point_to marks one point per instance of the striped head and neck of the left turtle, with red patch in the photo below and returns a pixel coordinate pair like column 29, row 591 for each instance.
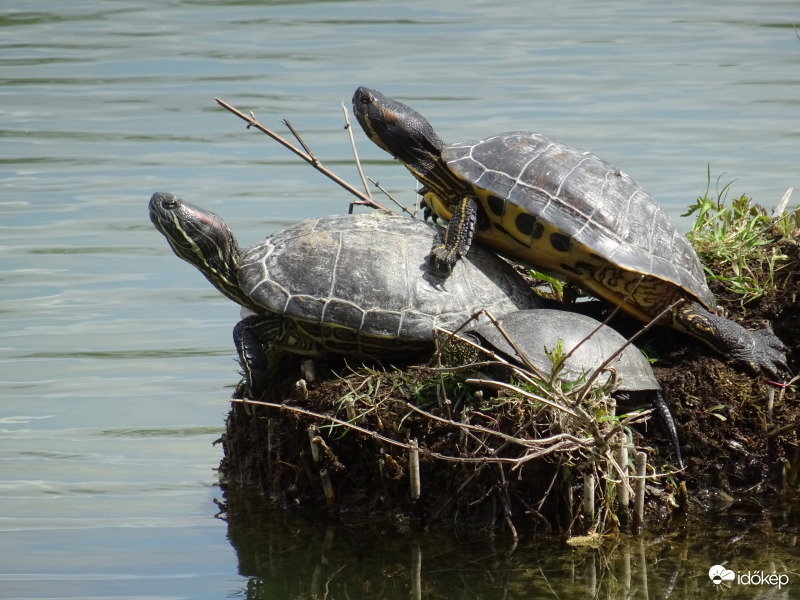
column 202, row 239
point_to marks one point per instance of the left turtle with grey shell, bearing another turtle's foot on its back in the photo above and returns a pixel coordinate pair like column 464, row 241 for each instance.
column 344, row 285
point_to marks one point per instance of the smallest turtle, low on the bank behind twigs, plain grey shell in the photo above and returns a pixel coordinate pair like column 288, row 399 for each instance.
column 588, row 344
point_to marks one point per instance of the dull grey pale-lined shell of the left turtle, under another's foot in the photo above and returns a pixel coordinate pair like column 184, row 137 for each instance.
column 362, row 284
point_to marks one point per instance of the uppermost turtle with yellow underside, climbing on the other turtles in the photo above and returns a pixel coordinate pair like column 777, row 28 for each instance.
column 568, row 212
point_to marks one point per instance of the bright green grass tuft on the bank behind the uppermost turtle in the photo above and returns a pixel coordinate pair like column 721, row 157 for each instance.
column 734, row 240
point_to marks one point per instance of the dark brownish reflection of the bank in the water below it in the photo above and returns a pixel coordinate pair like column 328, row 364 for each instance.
column 314, row 555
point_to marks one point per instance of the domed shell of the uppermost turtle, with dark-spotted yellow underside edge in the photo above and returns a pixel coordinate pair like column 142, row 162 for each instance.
column 526, row 180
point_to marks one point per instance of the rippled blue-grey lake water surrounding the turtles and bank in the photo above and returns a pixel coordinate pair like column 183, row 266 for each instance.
column 116, row 361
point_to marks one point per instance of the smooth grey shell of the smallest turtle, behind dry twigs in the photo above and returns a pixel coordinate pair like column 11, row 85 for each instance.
column 534, row 331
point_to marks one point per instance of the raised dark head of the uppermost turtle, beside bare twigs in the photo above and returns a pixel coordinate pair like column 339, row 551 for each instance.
column 402, row 132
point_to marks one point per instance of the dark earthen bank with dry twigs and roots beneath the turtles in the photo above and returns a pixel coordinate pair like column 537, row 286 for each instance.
column 738, row 435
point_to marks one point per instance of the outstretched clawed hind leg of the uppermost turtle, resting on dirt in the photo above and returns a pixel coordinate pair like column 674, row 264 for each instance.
column 758, row 351
